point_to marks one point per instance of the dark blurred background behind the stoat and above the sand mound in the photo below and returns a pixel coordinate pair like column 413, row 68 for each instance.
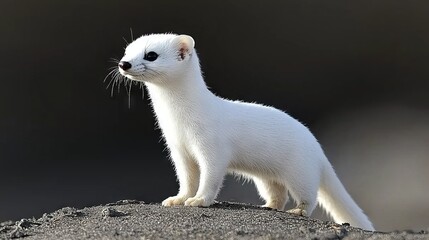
column 355, row 72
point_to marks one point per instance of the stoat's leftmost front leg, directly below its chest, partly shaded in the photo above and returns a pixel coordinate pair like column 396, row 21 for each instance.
column 188, row 174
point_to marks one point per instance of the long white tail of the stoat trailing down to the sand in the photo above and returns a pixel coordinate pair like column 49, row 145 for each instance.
column 337, row 202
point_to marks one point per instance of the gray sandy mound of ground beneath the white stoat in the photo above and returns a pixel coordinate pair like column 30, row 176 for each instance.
column 130, row 219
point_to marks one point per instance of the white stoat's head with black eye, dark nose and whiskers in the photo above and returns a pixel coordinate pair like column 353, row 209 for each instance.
column 156, row 57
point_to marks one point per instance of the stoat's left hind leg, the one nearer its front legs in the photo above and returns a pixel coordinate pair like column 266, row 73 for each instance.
column 274, row 193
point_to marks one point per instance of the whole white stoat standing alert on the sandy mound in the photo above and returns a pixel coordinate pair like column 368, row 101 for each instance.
column 209, row 136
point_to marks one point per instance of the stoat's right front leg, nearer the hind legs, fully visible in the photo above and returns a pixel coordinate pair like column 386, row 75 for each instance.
column 212, row 174
